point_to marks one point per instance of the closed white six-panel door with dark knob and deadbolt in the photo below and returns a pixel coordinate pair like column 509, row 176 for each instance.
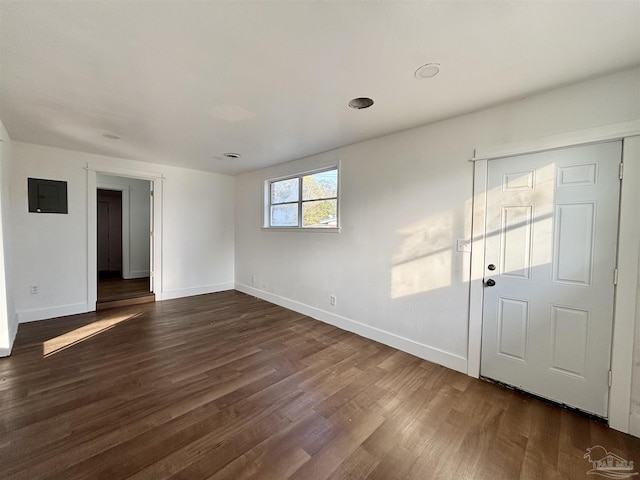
column 550, row 258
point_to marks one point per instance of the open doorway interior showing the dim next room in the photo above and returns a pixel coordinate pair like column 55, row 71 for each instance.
column 123, row 211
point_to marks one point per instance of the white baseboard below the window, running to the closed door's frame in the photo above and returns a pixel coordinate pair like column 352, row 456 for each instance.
column 435, row 355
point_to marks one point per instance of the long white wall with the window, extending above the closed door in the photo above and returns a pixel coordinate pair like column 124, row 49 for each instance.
column 405, row 199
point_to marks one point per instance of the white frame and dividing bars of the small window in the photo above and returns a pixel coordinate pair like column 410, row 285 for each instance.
column 266, row 224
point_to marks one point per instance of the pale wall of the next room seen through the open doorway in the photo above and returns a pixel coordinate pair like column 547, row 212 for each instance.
column 136, row 222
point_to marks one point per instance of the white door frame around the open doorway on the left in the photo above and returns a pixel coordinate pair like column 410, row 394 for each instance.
column 155, row 265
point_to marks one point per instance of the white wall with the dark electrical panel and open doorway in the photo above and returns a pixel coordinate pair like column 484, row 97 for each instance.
column 50, row 250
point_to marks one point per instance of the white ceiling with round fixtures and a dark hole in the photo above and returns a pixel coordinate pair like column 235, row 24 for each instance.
column 181, row 82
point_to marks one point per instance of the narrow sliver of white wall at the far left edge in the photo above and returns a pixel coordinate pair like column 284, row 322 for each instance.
column 8, row 321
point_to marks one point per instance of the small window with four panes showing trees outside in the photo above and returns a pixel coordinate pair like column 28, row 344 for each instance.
column 308, row 200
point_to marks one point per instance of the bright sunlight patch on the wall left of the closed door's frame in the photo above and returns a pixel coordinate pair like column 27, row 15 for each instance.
column 423, row 261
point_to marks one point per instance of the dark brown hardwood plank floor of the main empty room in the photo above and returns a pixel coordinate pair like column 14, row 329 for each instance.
column 226, row 386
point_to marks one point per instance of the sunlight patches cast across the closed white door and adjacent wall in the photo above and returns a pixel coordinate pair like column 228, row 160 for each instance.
column 424, row 260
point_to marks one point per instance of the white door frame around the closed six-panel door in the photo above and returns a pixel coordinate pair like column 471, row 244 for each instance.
column 626, row 294
